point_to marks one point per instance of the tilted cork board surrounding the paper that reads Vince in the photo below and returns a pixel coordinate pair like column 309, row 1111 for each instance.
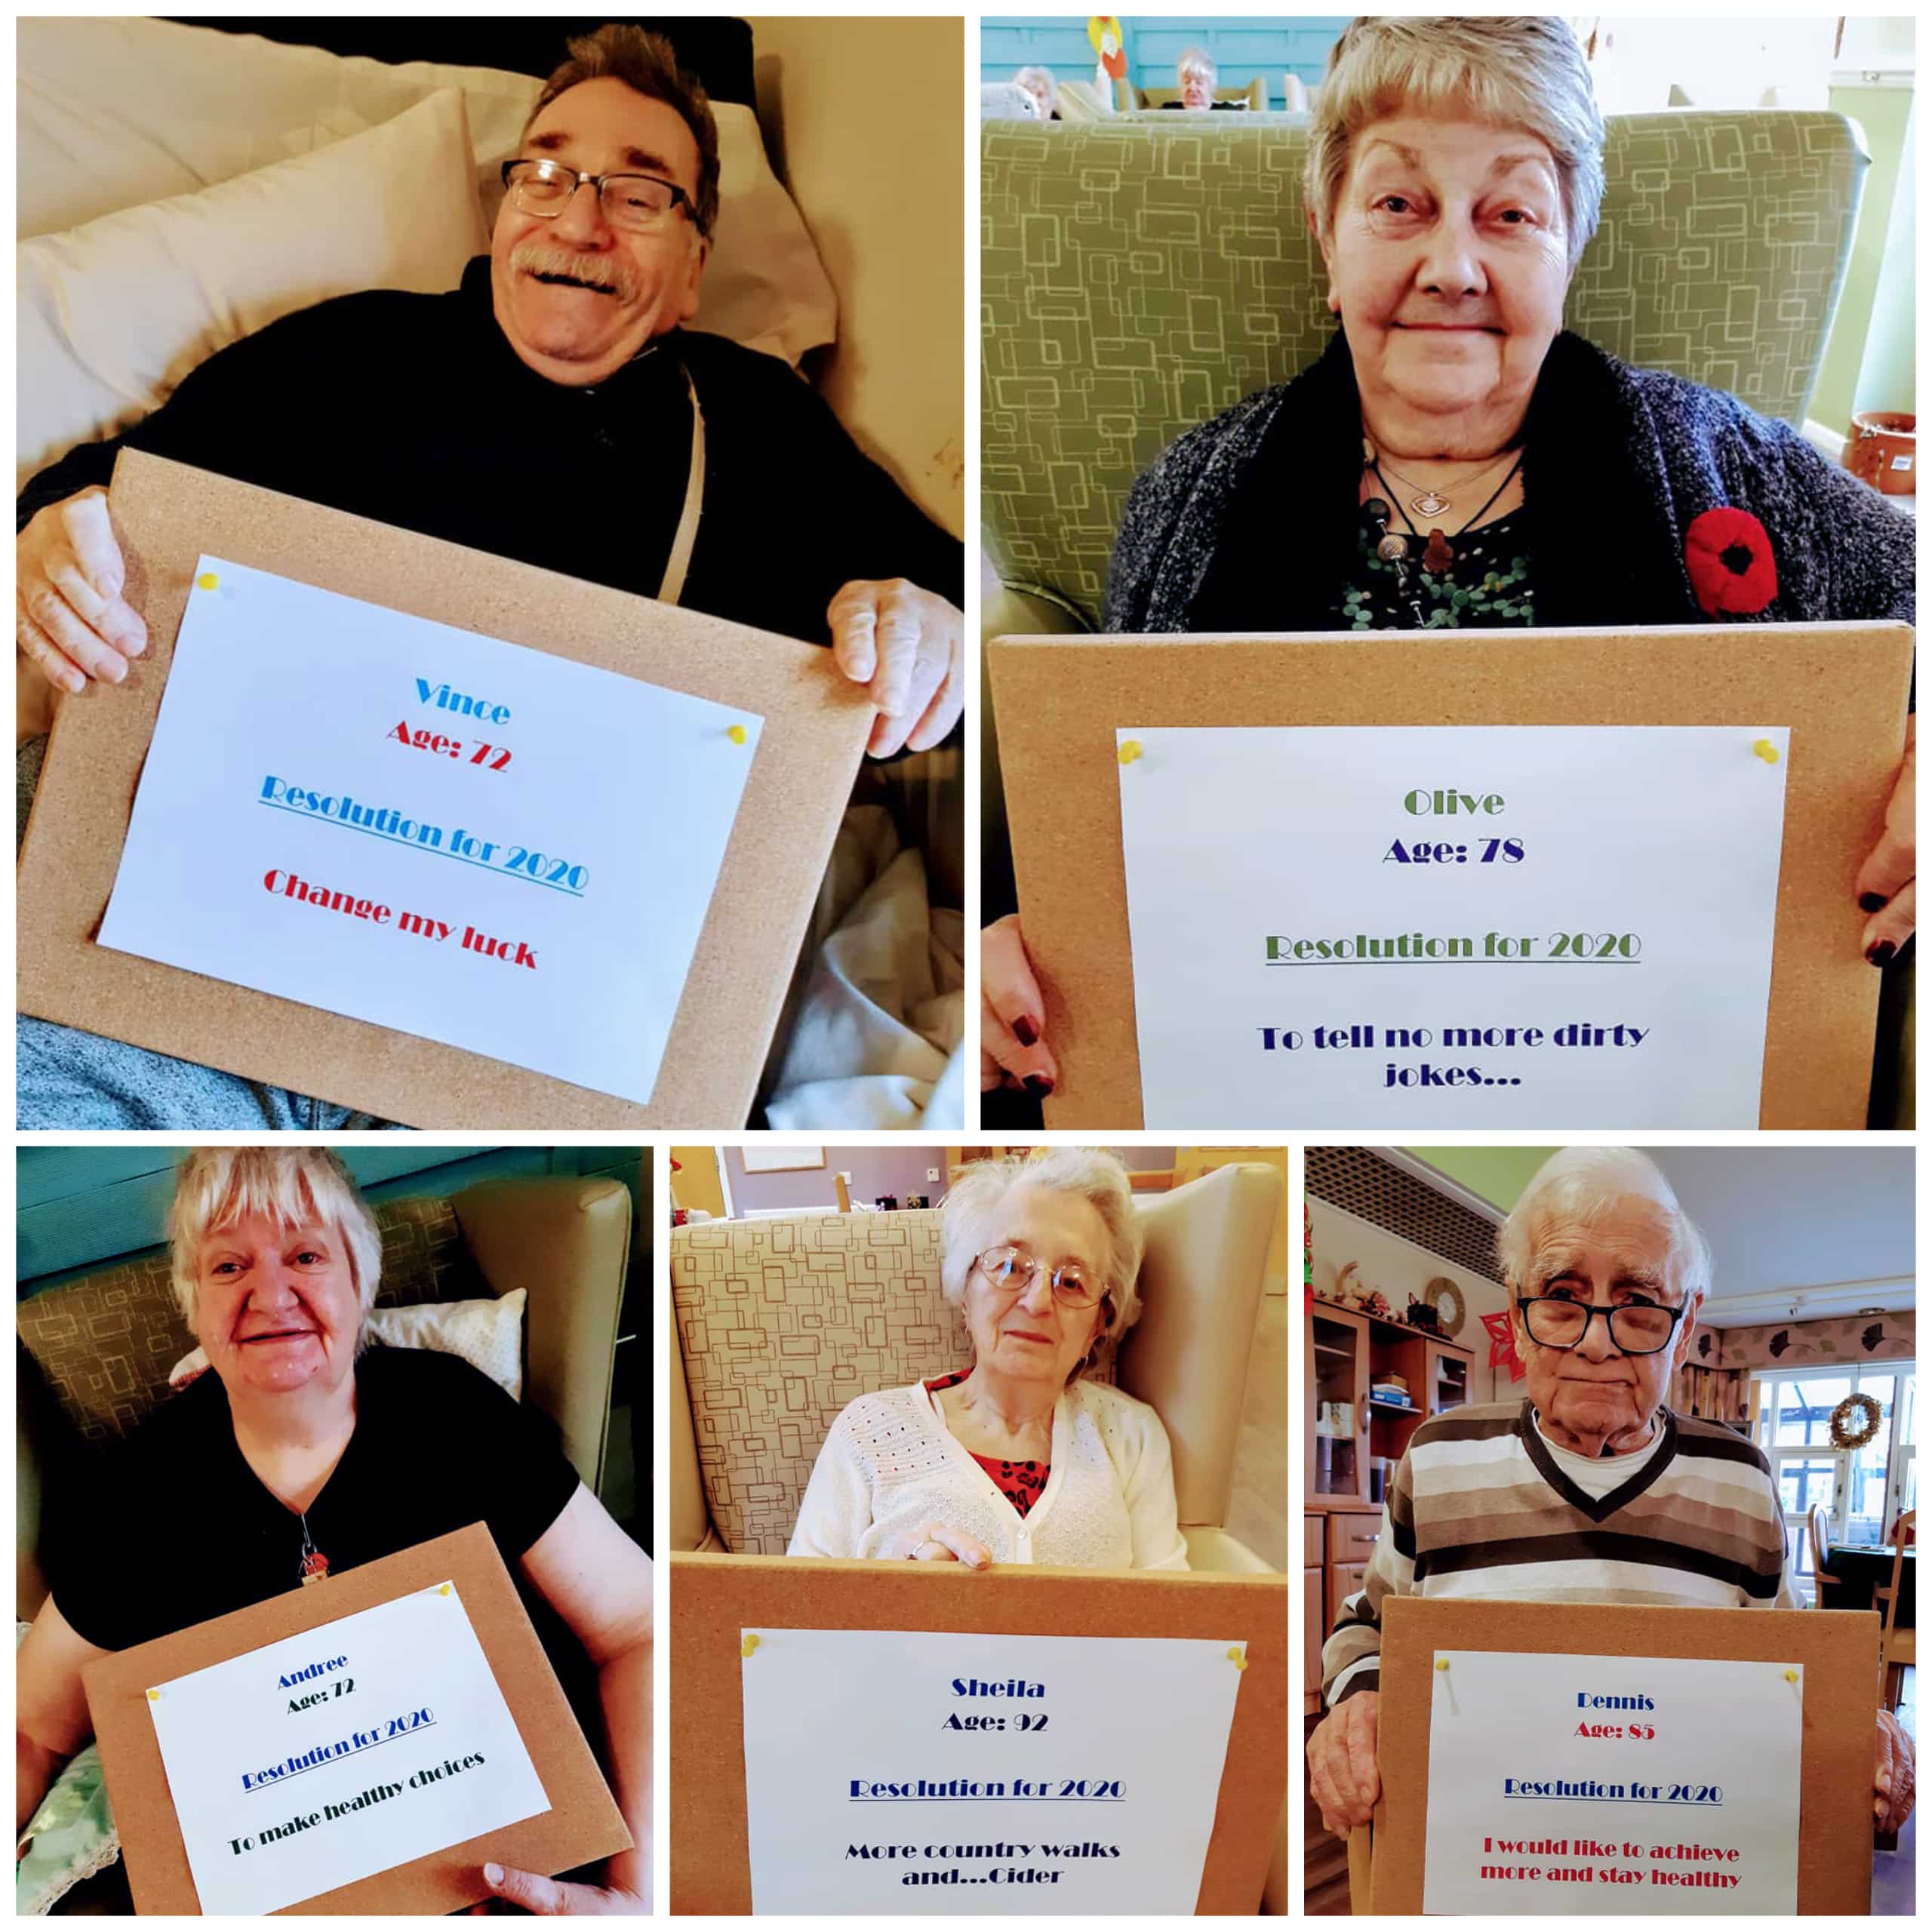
column 810, row 747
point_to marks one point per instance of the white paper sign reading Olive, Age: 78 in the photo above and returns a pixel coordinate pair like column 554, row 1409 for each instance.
column 1500, row 926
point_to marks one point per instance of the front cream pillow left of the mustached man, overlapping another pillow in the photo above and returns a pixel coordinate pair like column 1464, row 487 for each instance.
column 115, row 314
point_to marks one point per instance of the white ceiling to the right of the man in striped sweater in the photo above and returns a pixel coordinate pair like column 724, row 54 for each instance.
column 1827, row 1226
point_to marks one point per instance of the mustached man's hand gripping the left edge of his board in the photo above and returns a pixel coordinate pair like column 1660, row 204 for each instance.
column 71, row 621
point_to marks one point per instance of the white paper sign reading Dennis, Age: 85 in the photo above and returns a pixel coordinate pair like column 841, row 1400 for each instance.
column 1612, row 1786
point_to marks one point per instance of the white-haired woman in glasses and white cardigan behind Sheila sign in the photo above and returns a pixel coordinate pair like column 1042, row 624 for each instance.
column 1025, row 1458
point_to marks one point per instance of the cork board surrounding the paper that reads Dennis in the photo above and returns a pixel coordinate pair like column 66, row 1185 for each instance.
column 1838, row 1651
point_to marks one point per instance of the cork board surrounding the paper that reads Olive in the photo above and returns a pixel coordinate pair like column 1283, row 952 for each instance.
column 1842, row 689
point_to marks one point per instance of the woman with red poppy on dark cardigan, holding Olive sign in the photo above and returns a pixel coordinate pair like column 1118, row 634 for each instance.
column 1456, row 459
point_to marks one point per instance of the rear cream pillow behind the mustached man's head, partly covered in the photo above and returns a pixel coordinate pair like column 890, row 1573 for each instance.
column 123, row 111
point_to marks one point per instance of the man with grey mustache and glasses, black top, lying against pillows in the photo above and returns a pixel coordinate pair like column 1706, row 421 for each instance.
column 554, row 411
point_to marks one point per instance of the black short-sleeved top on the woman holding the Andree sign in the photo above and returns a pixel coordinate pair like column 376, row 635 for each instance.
column 173, row 1527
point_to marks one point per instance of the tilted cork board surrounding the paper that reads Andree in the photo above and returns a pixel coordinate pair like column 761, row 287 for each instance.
column 582, row 1823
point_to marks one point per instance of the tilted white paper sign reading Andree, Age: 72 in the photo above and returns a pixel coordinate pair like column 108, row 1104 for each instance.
column 347, row 1751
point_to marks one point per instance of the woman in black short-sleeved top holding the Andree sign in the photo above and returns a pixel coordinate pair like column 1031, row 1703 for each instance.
column 302, row 1456
